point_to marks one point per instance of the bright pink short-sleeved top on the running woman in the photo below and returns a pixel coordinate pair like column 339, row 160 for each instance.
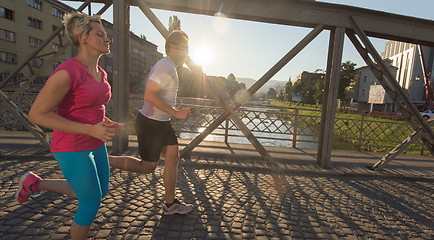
column 83, row 103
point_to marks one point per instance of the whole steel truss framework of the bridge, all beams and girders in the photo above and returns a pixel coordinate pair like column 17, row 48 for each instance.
column 356, row 23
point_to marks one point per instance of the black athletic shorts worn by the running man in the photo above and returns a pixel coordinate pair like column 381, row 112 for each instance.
column 152, row 136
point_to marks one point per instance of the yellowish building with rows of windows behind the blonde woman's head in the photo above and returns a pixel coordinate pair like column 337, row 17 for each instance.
column 24, row 25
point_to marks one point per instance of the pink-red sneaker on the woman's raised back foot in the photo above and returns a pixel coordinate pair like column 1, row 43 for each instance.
column 27, row 186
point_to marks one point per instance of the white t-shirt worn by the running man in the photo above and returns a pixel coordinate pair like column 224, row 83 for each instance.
column 163, row 73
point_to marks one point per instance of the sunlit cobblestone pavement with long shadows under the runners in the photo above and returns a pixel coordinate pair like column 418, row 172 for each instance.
column 230, row 203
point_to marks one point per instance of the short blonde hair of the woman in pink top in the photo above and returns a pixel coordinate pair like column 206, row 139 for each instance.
column 78, row 23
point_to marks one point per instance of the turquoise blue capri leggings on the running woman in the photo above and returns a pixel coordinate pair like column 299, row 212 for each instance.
column 88, row 173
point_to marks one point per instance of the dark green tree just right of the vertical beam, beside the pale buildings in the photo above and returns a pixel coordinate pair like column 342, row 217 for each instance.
column 347, row 77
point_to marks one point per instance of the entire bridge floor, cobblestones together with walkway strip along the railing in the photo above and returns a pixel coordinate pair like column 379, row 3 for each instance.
column 236, row 195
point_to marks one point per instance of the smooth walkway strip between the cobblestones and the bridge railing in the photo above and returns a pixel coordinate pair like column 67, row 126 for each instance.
column 344, row 162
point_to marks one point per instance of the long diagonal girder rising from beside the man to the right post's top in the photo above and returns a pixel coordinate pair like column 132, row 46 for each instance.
column 255, row 87
